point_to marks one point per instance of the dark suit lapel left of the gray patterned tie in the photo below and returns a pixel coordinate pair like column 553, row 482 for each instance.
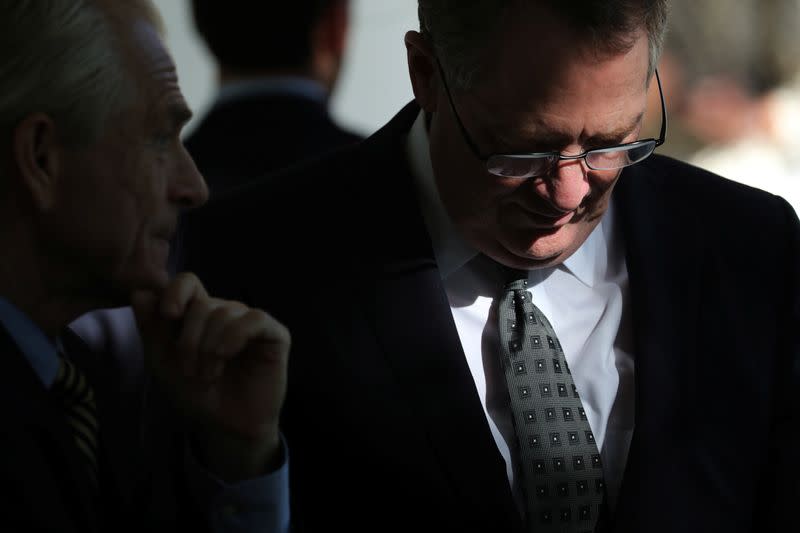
column 424, row 350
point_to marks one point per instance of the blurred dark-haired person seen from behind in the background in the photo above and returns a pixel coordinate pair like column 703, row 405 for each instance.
column 278, row 63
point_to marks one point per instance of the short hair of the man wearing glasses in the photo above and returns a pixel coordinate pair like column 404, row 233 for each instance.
column 461, row 31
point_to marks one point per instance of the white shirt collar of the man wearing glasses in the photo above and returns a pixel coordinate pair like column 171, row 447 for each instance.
column 587, row 263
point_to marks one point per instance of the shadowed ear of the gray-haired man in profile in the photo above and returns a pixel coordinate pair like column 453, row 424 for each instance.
column 37, row 158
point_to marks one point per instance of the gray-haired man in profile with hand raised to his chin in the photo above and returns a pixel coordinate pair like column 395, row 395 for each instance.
column 92, row 179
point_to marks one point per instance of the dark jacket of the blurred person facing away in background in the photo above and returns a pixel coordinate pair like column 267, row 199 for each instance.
column 251, row 136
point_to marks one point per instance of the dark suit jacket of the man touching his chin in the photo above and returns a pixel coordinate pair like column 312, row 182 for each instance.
column 45, row 486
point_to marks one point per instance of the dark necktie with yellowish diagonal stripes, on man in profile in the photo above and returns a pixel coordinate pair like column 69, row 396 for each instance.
column 76, row 396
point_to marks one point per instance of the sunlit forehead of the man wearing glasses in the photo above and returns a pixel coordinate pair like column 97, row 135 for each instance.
column 561, row 93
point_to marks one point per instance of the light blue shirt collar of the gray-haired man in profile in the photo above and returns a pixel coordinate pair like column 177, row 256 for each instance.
column 40, row 352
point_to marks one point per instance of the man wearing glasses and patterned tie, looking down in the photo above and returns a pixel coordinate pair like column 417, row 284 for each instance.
column 508, row 314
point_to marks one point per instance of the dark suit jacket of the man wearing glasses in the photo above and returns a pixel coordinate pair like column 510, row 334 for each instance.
column 383, row 421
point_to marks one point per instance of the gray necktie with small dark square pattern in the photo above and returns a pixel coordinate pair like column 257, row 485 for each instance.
column 562, row 471
